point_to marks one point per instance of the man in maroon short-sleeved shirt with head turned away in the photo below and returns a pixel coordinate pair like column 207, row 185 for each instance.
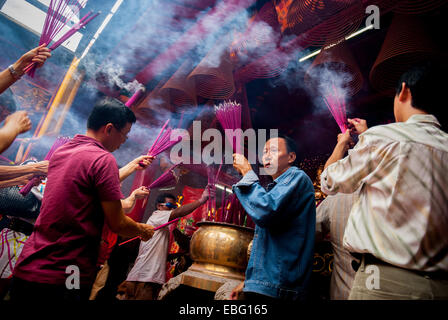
column 83, row 190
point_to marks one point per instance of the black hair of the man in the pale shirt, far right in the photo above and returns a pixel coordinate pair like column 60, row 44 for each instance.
column 426, row 83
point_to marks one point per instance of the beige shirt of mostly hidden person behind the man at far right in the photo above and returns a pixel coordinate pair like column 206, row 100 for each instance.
column 331, row 218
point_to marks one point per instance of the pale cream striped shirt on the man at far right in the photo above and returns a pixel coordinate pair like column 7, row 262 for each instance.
column 402, row 215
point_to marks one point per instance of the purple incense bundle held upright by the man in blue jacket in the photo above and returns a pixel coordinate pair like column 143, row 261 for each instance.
column 229, row 116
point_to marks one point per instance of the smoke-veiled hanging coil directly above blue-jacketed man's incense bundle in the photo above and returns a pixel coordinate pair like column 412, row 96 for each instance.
column 213, row 76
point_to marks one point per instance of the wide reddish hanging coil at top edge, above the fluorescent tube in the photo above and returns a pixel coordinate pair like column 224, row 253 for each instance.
column 323, row 21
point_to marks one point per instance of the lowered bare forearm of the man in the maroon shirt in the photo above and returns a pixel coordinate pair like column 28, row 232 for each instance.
column 119, row 223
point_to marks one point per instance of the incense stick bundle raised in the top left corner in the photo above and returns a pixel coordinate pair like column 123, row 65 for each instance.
column 59, row 13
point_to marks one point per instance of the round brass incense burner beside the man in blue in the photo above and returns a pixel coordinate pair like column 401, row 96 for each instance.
column 219, row 251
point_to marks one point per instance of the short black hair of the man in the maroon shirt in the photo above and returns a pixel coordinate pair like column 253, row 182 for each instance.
column 110, row 110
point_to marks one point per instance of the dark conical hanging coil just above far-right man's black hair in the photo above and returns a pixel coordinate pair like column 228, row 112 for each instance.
column 407, row 43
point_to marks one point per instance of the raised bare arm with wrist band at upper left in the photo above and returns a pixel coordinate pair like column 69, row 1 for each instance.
column 38, row 55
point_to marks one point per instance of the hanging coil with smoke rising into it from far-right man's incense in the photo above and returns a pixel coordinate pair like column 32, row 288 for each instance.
column 340, row 60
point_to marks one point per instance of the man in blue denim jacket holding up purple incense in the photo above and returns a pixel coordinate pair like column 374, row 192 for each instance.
column 280, row 264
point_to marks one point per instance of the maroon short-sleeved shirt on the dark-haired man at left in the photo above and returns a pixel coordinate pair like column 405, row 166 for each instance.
column 81, row 174
